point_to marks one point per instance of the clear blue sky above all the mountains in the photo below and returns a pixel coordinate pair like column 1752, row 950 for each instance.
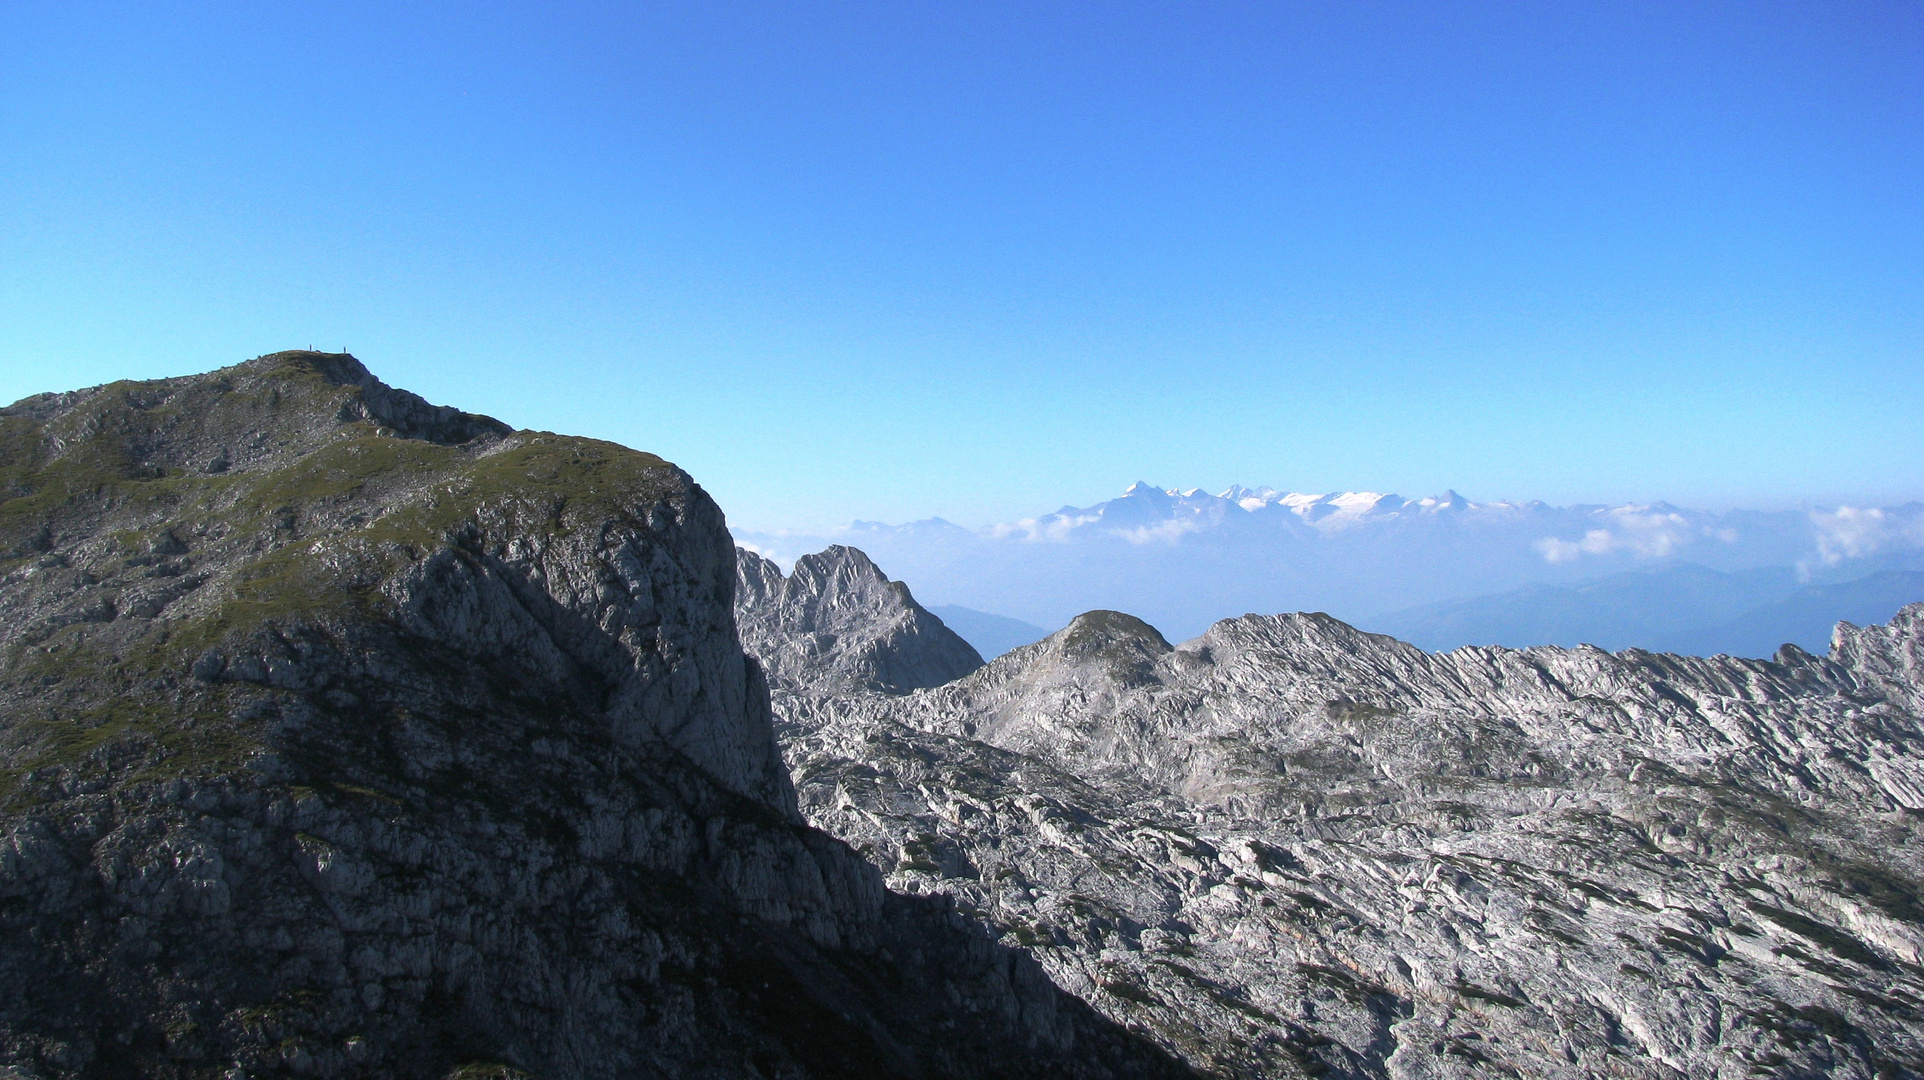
column 892, row 261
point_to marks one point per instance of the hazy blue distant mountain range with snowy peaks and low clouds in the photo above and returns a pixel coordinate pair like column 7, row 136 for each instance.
column 1440, row 571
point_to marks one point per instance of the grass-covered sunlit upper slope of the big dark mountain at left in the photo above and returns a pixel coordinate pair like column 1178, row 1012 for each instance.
column 301, row 546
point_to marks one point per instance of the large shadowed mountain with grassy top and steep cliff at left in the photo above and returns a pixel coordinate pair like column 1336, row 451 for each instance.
column 351, row 736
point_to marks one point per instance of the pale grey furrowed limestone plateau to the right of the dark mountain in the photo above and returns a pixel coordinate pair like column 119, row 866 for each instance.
column 1290, row 848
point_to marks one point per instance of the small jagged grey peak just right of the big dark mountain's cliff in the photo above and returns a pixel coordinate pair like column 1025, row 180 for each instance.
column 840, row 625
